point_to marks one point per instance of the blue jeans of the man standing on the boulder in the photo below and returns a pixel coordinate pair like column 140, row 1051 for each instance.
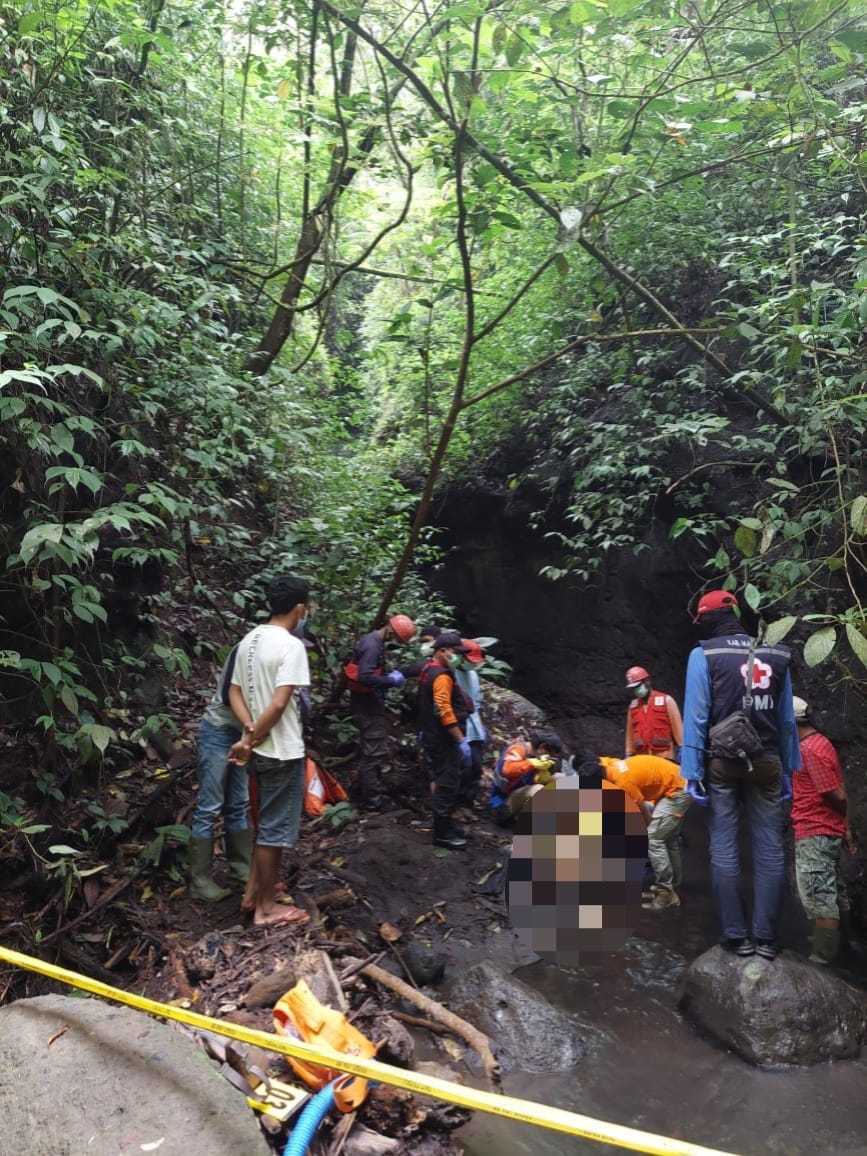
column 732, row 786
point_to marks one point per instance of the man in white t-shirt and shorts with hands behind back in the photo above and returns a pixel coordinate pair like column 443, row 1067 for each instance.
column 270, row 668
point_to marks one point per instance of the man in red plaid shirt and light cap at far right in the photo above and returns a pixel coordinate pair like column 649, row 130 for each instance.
column 819, row 819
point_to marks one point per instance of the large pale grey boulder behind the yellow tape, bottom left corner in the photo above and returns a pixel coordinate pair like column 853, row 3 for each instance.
column 85, row 1077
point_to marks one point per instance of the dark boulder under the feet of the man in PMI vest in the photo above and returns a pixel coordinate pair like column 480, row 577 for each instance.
column 774, row 1014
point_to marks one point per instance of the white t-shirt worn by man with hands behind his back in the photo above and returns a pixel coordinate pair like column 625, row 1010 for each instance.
column 269, row 657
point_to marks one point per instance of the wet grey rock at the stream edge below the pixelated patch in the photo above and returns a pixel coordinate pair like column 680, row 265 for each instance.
column 525, row 1031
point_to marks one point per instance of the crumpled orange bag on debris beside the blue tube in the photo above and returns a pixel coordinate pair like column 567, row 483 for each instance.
column 300, row 1013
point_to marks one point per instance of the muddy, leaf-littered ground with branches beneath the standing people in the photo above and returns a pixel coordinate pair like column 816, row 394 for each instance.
column 135, row 925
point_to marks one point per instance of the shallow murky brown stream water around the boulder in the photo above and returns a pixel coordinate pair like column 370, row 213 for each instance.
column 651, row 1070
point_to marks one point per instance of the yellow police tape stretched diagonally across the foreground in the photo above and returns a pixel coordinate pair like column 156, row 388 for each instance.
column 522, row 1110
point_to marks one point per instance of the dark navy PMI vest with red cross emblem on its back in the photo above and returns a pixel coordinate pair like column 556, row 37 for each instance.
column 728, row 659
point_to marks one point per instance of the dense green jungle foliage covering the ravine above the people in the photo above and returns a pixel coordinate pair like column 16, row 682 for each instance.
column 439, row 202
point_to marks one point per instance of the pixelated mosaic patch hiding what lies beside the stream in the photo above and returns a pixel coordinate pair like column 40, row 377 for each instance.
column 576, row 869
